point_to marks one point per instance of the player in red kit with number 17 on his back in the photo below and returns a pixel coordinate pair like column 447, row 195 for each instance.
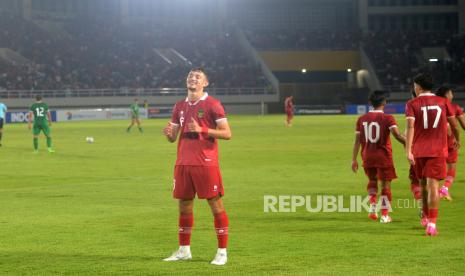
column 426, row 146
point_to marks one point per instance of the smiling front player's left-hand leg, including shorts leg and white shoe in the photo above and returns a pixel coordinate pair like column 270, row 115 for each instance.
column 184, row 191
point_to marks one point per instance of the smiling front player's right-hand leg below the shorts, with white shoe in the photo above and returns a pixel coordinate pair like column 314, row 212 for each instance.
column 221, row 228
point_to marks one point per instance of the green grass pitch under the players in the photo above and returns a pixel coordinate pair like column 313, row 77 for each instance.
column 106, row 207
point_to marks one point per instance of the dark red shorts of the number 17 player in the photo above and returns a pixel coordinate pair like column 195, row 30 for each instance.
column 430, row 167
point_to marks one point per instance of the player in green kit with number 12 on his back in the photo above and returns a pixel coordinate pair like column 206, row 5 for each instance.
column 40, row 115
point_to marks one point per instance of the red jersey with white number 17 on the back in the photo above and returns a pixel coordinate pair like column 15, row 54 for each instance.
column 430, row 113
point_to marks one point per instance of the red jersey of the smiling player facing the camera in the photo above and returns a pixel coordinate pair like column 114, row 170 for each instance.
column 197, row 149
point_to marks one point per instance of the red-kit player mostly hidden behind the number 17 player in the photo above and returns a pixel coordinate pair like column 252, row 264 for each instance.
column 446, row 92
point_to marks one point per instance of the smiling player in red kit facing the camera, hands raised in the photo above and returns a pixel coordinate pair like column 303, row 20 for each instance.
column 199, row 120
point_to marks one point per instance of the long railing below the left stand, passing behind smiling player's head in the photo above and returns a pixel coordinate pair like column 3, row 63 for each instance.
column 128, row 92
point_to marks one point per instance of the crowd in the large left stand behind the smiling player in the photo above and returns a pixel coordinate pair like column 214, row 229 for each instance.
column 95, row 55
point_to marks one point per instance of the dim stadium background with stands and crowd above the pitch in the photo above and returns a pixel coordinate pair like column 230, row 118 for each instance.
column 328, row 54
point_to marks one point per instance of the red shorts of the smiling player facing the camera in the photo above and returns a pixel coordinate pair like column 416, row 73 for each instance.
column 201, row 180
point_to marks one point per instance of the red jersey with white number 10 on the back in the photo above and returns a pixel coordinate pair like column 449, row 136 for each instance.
column 375, row 128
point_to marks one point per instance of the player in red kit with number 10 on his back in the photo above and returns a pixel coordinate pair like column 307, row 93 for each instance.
column 373, row 135
